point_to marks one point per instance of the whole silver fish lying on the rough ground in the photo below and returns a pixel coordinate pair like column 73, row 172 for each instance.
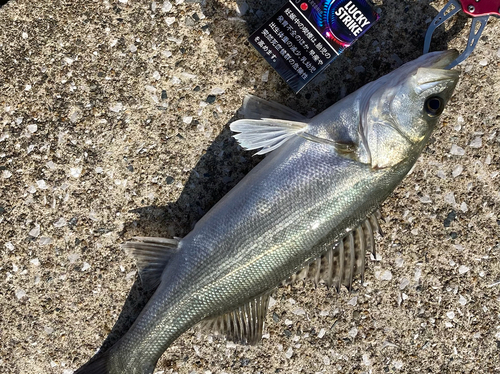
column 310, row 204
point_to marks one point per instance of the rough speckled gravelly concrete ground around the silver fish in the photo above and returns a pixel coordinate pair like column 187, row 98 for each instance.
column 114, row 122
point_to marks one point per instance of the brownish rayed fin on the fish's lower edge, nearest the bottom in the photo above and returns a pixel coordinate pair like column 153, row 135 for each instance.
column 244, row 325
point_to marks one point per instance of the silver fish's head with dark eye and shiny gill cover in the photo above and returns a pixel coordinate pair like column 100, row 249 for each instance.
column 400, row 110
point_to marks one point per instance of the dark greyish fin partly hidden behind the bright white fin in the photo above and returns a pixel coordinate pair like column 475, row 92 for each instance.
column 257, row 108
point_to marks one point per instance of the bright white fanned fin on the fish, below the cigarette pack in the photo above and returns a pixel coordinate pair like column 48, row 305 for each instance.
column 266, row 134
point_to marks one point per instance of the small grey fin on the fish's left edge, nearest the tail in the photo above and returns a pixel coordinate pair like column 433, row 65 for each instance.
column 151, row 255
